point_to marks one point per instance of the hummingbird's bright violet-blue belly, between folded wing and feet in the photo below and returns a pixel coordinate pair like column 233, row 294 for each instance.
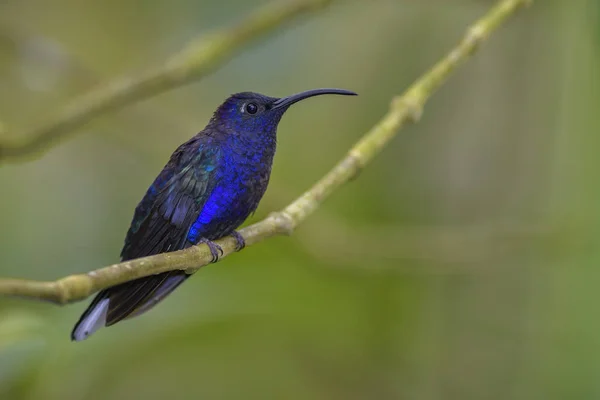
column 227, row 208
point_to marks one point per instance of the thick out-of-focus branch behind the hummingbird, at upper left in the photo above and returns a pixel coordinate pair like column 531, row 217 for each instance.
column 195, row 61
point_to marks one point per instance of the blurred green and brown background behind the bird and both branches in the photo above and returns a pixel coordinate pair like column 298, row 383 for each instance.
column 462, row 264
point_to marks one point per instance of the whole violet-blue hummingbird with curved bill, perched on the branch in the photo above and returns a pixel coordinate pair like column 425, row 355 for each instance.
column 207, row 189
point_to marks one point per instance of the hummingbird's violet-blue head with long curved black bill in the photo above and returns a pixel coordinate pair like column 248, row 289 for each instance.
column 249, row 114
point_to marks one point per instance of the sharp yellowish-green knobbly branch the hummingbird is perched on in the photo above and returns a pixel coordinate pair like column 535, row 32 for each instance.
column 404, row 109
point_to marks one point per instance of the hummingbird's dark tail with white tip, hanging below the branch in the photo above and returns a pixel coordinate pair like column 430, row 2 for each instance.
column 126, row 300
